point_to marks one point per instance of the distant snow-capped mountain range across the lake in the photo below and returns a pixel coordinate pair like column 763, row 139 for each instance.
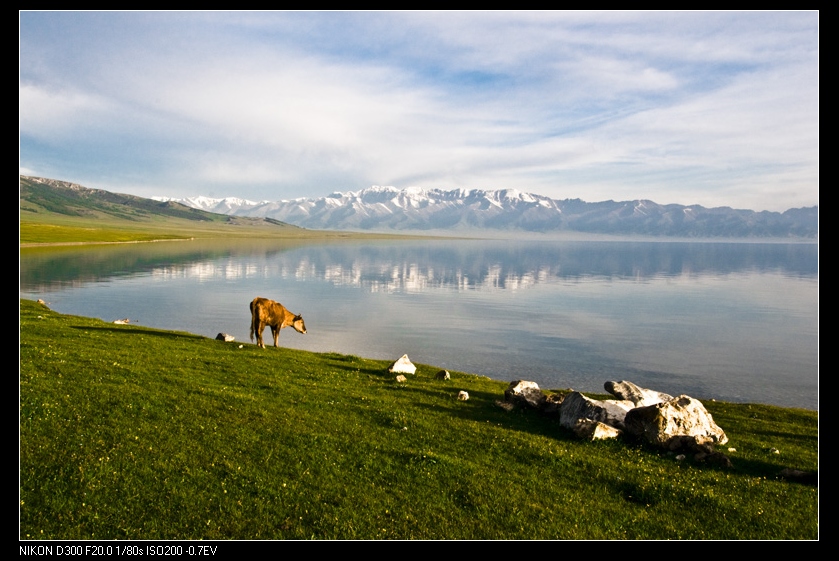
column 389, row 208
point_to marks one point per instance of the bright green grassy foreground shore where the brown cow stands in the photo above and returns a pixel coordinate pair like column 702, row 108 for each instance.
column 129, row 432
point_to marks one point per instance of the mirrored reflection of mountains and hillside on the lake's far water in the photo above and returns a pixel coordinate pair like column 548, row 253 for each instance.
column 462, row 265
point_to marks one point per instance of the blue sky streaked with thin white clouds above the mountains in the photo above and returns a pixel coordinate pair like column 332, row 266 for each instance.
column 709, row 108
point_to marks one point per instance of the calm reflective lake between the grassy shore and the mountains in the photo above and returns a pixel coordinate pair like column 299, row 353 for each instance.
column 730, row 321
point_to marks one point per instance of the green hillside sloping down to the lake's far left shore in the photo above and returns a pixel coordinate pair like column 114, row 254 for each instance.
column 53, row 211
